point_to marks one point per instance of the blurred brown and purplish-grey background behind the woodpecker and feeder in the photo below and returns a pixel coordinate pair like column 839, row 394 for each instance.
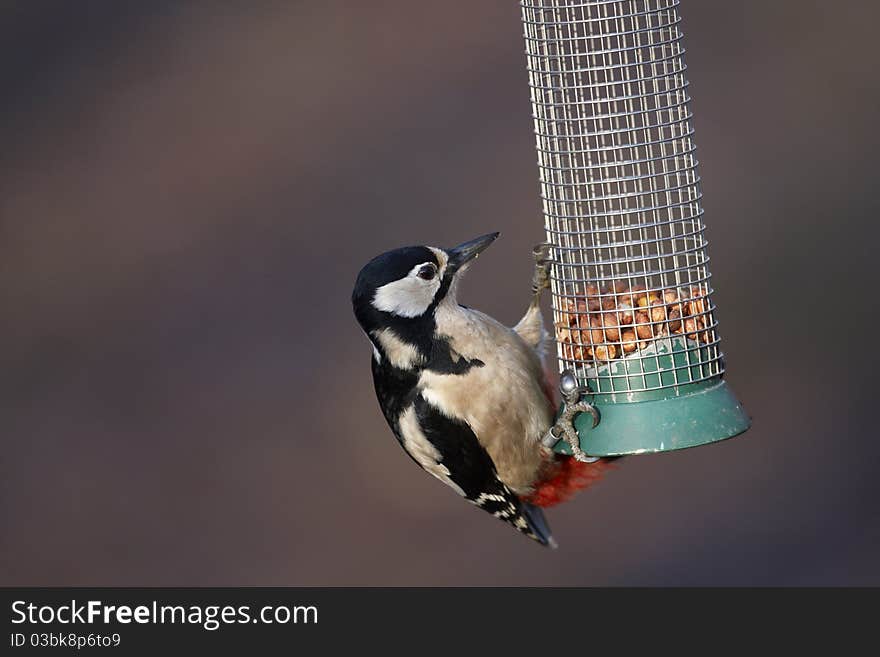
column 187, row 191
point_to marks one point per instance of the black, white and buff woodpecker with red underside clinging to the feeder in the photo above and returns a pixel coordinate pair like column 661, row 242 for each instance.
column 467, row 397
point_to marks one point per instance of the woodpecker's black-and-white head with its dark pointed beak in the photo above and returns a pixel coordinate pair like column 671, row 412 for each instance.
column 402, row 288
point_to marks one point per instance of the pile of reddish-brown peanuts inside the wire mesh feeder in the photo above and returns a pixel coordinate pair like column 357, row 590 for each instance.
column 624, row 319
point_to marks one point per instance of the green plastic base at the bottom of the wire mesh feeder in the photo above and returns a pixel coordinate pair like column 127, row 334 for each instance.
column 660, row 420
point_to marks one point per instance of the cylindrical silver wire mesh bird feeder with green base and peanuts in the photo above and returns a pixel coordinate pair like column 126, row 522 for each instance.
column 631, row 289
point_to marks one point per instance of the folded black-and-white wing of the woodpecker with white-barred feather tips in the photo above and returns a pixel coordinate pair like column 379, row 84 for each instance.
column 448, row 449
